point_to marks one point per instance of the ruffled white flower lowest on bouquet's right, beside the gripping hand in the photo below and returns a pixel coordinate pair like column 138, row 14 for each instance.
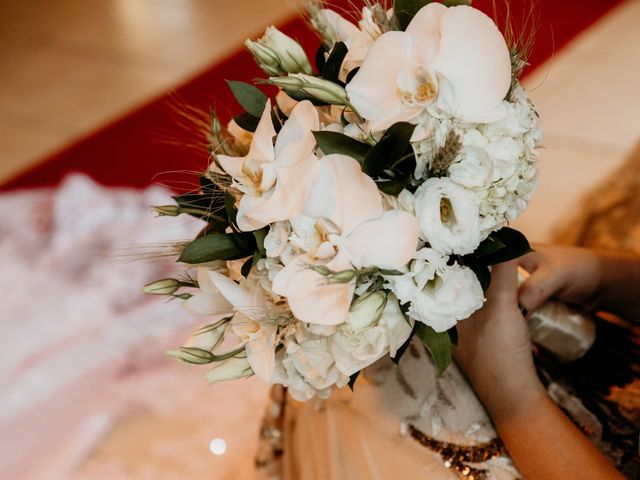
column 439, row 294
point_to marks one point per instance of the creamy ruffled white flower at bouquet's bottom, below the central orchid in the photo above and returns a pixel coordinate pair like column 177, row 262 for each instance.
column 359, row 342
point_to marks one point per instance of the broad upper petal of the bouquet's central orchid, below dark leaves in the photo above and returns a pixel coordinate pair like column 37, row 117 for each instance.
column 343, row 194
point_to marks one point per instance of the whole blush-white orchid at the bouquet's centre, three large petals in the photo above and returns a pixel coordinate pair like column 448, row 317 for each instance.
column 344, row 226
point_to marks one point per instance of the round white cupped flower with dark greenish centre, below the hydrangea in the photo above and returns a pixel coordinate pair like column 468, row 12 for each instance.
column 448, row 215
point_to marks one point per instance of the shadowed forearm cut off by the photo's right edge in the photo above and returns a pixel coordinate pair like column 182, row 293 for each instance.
column 619, row 290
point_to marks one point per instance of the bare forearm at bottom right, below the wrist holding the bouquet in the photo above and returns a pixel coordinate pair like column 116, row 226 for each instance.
column 544, row 443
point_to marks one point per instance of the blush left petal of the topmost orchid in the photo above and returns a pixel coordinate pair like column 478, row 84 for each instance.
column 373, row 90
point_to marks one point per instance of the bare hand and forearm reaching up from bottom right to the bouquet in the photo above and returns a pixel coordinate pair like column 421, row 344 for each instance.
column 494, row 352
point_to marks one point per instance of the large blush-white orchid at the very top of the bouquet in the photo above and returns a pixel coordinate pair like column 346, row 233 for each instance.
column 454, row 58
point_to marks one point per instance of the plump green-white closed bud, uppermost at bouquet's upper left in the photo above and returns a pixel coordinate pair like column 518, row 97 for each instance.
column 277, row 54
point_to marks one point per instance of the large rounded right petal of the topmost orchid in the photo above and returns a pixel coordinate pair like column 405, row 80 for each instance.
column 474, row 58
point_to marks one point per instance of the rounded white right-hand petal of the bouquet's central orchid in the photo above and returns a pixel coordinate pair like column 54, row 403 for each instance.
column 388, row 242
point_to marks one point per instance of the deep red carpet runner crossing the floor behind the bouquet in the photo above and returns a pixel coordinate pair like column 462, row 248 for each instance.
column 152, row 139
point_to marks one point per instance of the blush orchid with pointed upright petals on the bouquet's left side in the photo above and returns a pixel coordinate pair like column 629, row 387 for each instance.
column 275, row 178
